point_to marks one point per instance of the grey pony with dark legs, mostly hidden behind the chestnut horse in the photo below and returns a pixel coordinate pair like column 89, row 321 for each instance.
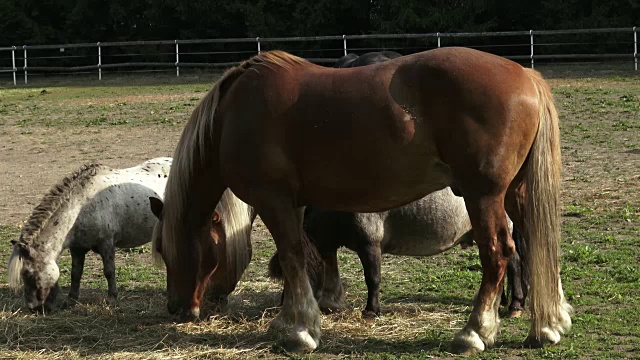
column 426, row 227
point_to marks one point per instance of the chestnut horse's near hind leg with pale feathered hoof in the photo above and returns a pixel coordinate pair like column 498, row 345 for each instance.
column 495, row 245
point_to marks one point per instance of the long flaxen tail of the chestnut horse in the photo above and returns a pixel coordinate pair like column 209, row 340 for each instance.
column 541, row 213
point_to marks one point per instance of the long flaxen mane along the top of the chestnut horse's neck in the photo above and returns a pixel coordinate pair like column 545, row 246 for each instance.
column 195, row 144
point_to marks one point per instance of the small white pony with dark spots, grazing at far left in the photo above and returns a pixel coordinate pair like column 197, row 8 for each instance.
column 95, row 208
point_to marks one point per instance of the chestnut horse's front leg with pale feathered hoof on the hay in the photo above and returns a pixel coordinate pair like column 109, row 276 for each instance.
column 284, row 221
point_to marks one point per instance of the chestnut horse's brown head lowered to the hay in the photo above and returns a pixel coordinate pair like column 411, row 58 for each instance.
column 185, row 287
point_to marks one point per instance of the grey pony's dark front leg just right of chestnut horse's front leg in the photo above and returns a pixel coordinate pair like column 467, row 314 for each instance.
column 332, row 295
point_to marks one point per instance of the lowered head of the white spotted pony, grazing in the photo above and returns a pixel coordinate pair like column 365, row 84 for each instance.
column 36, row 274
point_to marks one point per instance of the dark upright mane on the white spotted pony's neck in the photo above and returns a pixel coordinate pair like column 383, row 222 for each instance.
column 57, row 196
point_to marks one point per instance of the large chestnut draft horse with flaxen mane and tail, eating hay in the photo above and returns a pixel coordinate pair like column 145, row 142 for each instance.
column 283, row 133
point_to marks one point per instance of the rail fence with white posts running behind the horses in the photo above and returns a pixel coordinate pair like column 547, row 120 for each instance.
column 524, row 46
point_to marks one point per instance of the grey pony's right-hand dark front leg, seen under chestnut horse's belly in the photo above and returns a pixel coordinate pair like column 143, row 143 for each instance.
column 371, row 259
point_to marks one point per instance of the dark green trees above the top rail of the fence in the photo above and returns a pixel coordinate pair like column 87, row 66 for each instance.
column 60, row 21
